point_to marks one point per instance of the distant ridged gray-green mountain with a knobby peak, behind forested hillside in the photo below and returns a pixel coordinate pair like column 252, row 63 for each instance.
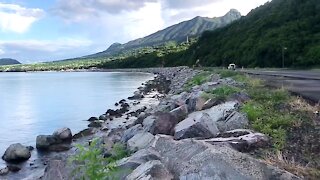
column 178, row 33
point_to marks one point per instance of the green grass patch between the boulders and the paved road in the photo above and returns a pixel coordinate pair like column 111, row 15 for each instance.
column 268, row 112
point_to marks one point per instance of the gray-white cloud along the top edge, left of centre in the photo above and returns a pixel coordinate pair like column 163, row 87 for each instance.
column 78, row 10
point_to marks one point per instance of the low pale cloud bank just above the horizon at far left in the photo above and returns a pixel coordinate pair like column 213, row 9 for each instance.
column 40, row 50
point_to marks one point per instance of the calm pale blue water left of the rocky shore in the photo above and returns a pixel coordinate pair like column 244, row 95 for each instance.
column 38, row 103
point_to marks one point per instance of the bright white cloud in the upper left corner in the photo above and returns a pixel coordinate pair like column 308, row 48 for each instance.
column 15, row 18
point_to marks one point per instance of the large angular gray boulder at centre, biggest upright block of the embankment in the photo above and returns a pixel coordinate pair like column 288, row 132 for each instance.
column 196, row 126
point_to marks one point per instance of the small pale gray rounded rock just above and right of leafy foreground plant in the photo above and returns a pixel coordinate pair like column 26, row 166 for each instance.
column 140, row 141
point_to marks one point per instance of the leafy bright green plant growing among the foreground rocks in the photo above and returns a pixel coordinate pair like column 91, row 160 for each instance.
column 91, row 163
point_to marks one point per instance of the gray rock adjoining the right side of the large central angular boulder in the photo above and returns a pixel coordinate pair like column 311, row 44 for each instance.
column 235, row 120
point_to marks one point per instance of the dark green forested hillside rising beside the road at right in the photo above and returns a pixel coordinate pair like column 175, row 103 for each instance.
column 280, row 31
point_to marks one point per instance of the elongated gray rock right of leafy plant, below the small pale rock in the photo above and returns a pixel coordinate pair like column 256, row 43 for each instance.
column 140, row 157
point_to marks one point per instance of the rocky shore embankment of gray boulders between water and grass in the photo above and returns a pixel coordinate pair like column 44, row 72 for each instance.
column 172, row 132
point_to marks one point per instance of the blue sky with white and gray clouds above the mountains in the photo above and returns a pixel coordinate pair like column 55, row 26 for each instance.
column 46, row 30
